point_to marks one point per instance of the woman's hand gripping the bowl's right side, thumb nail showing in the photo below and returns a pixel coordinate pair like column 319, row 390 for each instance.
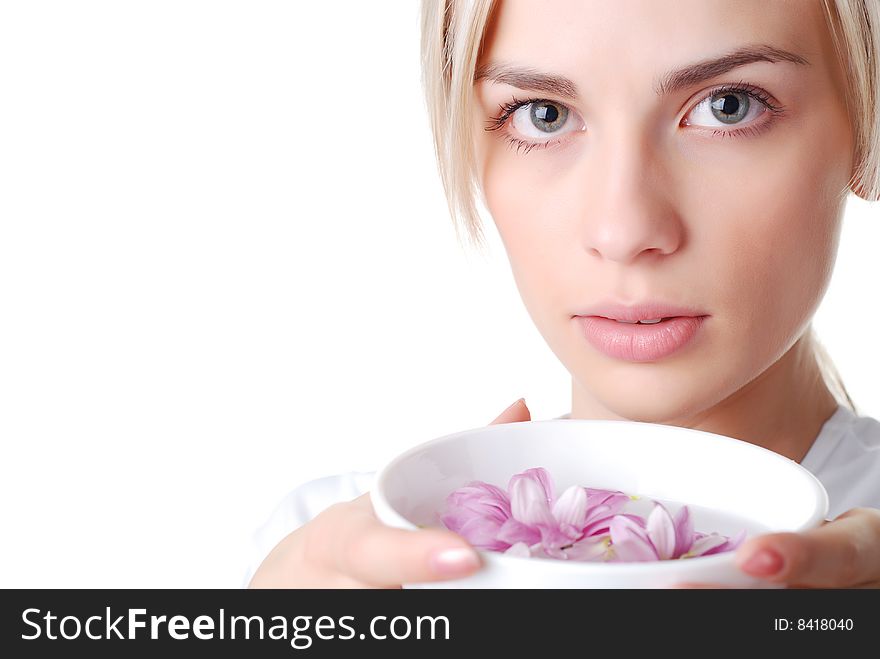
column 843, row 553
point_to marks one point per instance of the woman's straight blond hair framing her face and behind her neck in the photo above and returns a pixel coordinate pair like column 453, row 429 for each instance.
column 451, row 38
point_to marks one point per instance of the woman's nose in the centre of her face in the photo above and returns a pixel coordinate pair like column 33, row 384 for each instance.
column 629, row 213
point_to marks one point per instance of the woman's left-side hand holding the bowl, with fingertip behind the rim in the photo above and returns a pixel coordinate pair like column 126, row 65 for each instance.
column 346, row 546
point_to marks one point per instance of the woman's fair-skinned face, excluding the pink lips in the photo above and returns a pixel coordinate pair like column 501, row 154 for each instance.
column 685, row 195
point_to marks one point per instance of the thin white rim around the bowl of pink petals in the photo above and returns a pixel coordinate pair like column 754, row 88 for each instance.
column 389, row 515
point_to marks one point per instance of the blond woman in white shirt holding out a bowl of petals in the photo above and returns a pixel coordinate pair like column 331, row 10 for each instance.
column 641, row 167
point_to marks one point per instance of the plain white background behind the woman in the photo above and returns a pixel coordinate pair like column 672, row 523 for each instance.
column 226, row 268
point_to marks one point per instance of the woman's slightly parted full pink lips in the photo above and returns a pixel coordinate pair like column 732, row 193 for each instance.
column 638, row 342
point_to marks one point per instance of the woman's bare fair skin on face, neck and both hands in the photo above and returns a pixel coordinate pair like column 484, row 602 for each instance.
column 637, row 206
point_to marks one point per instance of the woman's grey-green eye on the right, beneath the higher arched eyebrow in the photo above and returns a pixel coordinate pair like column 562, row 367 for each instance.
column 735, row 106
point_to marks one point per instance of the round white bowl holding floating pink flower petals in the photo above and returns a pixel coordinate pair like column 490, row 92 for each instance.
column 727, row 484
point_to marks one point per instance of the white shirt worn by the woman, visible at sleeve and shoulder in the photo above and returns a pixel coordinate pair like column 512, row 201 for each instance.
column 845, row 457
